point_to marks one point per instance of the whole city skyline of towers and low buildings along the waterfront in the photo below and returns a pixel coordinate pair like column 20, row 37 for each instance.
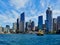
column 51, row 26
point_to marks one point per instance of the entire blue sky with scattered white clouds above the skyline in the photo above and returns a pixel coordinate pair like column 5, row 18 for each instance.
column 10, row 10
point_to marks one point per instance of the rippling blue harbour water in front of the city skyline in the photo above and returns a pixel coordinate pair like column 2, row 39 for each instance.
column 29, row 39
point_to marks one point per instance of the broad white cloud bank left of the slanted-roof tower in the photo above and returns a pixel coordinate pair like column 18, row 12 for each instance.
column 9, row 17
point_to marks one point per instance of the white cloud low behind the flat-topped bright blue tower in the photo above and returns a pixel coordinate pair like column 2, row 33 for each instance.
column 36, row 17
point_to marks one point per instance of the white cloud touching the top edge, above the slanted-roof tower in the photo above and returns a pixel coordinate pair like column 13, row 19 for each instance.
column 18, row 3
